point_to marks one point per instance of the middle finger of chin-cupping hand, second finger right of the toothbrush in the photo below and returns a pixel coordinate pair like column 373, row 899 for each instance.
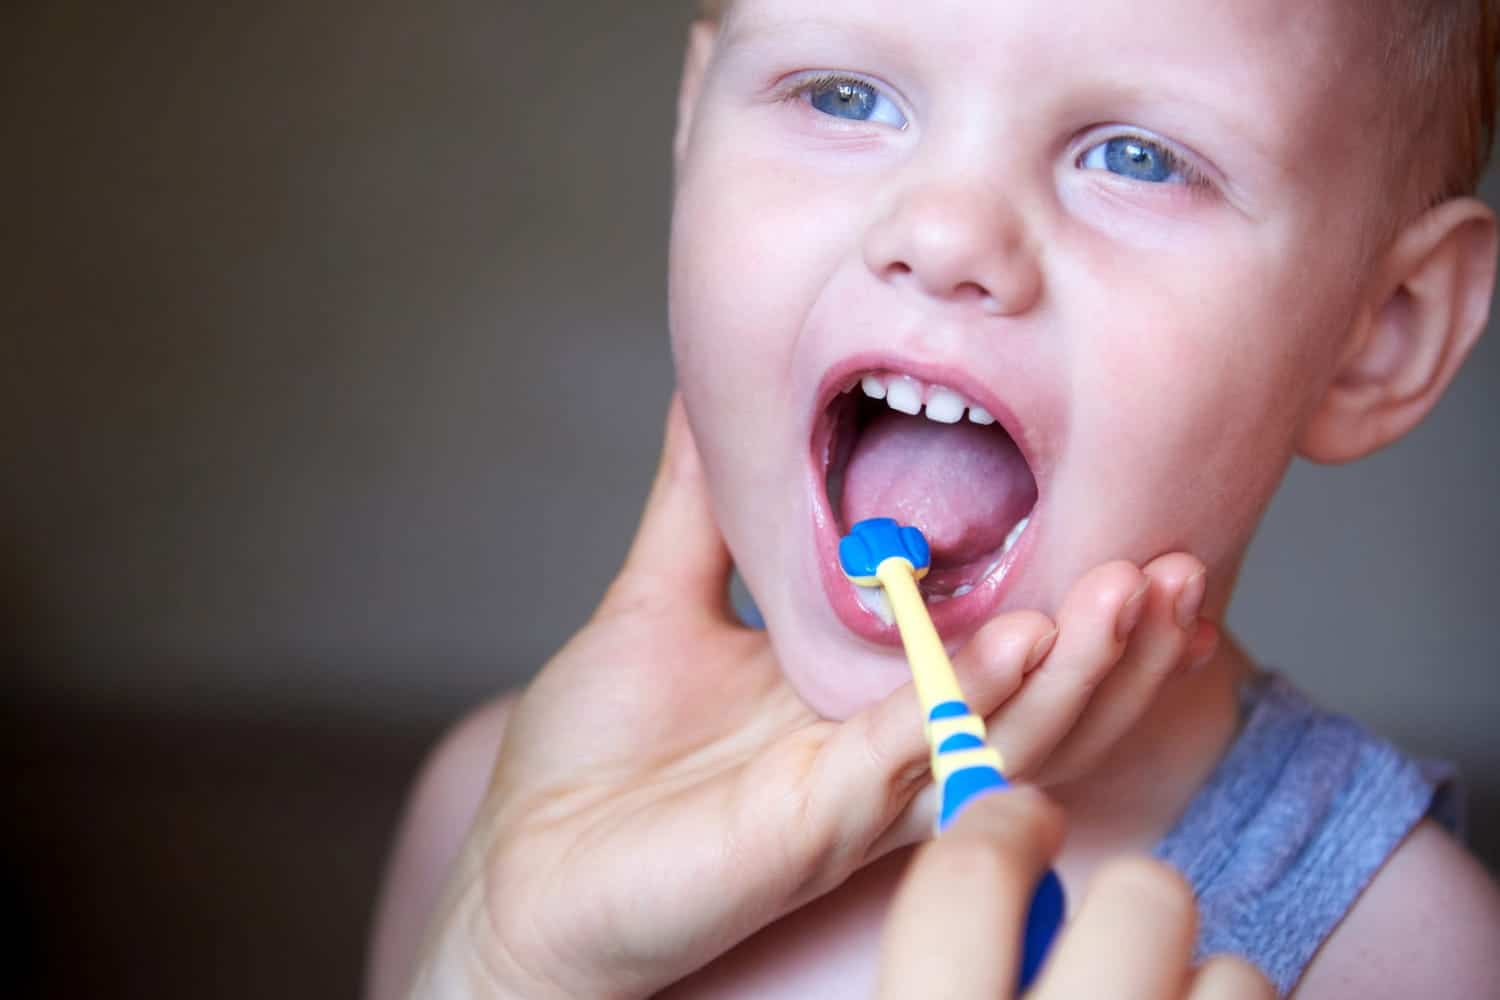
column 1093, row 626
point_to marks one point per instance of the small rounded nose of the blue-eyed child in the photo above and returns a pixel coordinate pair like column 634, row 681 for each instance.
column 959, row 245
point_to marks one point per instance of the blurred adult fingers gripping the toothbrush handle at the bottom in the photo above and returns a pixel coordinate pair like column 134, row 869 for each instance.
column 956, row 926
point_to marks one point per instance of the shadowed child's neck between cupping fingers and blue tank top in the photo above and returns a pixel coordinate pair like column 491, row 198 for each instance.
column 1132, row 800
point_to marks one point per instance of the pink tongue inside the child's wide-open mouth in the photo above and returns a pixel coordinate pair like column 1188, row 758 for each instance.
column 962, row 485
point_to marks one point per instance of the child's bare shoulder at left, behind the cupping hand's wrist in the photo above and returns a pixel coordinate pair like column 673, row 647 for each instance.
column 439, row 812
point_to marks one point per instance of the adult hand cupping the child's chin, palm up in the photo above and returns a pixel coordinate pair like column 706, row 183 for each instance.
column 662, row 794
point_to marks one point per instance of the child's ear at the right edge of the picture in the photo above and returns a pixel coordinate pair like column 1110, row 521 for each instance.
column 1427, row 310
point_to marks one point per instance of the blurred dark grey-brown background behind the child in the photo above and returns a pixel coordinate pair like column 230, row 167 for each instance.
column 332, row 368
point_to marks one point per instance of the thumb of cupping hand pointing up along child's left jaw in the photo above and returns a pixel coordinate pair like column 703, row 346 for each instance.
column 679, row 557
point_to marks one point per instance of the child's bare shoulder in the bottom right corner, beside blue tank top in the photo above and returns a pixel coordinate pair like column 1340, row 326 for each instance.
column 1427, row 926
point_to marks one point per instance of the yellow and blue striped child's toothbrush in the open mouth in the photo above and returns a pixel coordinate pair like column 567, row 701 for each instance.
column 883, row 554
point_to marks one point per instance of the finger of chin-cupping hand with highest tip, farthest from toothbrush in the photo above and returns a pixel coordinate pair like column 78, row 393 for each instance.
column 1157, row 650
